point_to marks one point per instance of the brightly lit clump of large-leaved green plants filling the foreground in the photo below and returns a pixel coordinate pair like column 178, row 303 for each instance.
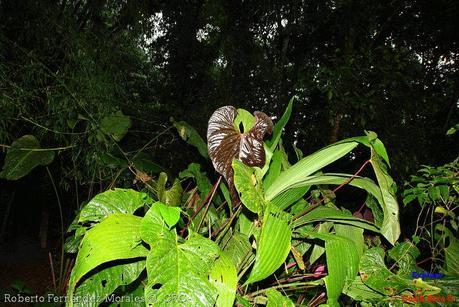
column 195, row 248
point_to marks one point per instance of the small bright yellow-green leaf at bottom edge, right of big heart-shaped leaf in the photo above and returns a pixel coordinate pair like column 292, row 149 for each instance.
column 223, row 276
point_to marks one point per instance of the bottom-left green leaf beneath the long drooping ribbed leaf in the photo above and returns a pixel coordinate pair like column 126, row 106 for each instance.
column 103, row 283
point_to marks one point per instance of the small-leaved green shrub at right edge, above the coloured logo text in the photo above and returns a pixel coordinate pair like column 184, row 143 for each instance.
column 435, row 190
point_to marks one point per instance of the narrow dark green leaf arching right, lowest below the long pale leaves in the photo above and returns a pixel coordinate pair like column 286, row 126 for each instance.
column 323, row 213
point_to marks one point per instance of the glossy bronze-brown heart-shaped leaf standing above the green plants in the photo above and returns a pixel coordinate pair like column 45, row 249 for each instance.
column 225, row 142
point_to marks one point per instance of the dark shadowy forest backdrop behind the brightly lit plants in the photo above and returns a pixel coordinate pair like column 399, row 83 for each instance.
column 354, row 65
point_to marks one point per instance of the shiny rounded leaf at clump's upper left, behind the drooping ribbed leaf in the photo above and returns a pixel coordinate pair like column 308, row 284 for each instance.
column 113, row 201
